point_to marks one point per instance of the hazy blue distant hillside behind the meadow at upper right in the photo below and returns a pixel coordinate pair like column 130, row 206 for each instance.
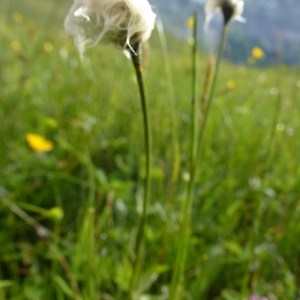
column 271, row 24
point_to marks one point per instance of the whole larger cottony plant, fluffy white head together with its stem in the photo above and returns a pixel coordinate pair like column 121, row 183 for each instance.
column 125, row 24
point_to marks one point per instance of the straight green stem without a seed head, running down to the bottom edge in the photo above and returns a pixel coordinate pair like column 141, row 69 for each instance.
column 177, row 279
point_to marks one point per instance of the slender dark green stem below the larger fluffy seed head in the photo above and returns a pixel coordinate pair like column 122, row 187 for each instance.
column 135, row 57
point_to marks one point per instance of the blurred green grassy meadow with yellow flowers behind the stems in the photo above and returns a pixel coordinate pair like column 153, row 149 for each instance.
column 69, row 214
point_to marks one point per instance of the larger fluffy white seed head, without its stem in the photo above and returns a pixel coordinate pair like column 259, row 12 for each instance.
column 124, row 23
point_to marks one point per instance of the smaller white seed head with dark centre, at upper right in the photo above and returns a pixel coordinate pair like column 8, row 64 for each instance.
column 231, row 9
